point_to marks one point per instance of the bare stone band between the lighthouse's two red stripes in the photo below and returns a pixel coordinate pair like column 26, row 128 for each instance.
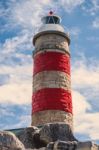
column 51, row 79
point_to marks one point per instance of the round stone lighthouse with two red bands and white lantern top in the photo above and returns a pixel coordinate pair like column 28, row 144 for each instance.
column 51, row 100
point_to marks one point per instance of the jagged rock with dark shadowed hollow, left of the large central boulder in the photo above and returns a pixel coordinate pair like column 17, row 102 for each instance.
column 30, row 137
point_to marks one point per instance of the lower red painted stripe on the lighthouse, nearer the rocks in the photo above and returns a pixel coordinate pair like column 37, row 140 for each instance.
column 51, row 98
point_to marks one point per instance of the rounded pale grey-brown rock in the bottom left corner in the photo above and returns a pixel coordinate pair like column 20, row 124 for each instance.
column 8, row 141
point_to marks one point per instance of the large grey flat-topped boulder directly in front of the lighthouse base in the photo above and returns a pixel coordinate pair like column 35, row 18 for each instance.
column 52, row 132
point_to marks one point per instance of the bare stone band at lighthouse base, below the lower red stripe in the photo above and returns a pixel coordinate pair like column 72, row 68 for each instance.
column 48, row 116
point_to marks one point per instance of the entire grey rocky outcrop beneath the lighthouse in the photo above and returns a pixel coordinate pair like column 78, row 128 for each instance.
column 52, row 136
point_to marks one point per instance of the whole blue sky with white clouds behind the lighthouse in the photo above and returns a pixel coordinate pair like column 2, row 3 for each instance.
column 19, row 21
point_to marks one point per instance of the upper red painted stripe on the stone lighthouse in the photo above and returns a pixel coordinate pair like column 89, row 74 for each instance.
column 50, row 61
